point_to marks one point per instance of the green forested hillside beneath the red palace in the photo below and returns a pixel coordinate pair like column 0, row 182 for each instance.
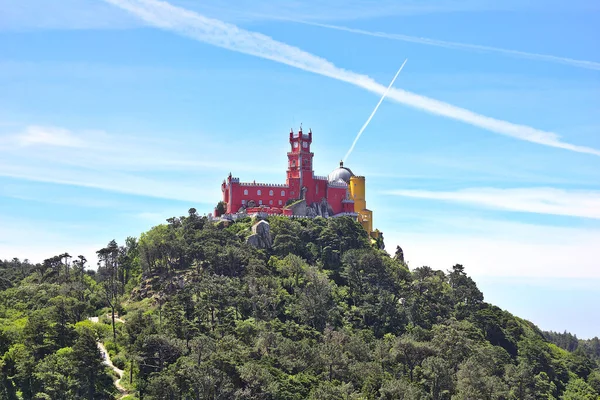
column 190, row 311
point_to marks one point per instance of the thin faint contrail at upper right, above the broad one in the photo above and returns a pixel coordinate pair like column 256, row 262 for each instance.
column 464, row 46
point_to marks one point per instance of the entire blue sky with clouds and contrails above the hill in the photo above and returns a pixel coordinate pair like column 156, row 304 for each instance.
column 118, row 114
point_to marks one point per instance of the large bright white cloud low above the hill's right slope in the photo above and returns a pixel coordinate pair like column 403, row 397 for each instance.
column 489, row 248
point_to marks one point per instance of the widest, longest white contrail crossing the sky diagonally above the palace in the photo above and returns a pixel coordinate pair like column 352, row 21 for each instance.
column 218, row 33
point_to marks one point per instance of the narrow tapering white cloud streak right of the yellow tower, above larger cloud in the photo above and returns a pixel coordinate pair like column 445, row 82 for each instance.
column 576, row 203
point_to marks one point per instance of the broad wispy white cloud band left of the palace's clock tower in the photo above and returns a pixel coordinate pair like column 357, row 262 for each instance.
column 142, row 166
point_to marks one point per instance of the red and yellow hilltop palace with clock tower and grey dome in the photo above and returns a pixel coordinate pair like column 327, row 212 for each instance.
column 304, row 194
